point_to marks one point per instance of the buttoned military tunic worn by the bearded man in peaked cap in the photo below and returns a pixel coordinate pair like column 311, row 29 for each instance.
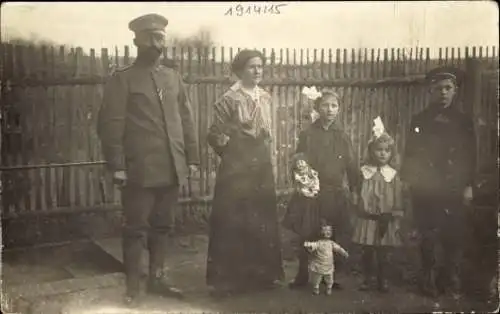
column 146, row 126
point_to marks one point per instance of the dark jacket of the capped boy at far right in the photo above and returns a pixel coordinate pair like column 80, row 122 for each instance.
column 440, row 152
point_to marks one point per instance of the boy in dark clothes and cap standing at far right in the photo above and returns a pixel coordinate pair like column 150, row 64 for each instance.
column 439, row 167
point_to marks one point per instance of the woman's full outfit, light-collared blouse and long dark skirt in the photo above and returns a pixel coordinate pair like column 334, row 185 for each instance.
column 244, row 247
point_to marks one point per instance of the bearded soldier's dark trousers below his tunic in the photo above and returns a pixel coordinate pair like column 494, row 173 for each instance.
column 149, row 222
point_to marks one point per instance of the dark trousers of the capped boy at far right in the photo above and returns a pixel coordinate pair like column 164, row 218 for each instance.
column 442, row 226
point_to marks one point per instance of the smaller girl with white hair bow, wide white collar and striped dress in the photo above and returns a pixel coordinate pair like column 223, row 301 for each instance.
column 380, row 209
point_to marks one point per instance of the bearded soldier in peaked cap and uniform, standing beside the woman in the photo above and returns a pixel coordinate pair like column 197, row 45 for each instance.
column 149, row 142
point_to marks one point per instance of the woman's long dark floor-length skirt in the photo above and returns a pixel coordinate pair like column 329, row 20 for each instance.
column 244, row 247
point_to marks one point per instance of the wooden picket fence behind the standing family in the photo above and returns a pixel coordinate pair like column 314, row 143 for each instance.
column 52, row 162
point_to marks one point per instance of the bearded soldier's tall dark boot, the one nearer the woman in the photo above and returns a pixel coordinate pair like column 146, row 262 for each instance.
column 158, row 283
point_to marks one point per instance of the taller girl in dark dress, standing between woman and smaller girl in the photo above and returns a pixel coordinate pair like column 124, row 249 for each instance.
column 329, row 151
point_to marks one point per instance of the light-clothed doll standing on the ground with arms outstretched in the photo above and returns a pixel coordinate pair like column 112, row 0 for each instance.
column 321, row 262
